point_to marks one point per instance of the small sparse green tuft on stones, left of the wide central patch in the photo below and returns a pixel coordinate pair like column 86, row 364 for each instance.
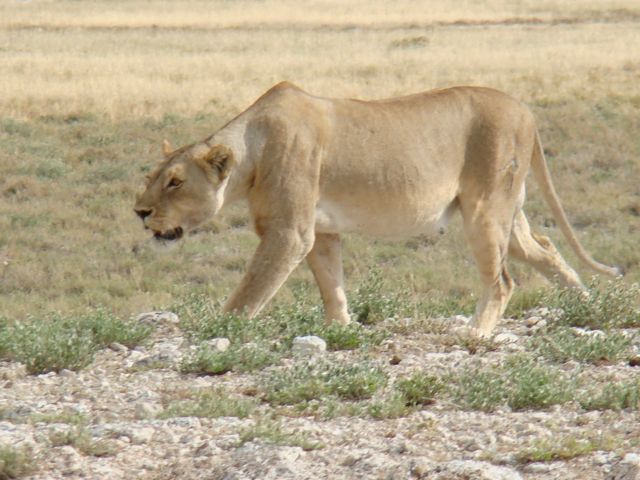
column 211, row 404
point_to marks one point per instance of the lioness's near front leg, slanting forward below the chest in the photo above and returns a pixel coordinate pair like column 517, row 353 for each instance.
column 277, row 255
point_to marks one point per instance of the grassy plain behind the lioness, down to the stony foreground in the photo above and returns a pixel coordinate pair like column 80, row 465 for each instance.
column 89, row 89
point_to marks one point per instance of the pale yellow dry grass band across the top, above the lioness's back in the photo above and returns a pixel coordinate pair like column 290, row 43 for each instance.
column 149, row 58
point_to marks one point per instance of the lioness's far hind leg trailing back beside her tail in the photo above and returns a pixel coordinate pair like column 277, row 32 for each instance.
column 540, row 253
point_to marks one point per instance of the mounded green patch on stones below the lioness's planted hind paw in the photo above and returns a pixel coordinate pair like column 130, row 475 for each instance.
column 522, row 383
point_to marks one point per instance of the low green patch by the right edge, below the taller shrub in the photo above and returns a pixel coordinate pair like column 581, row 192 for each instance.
column 563, row 344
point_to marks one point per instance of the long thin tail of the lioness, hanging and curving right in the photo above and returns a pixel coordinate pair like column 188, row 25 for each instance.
column 543, row 178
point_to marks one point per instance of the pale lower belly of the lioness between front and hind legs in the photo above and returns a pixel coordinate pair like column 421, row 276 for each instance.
column 382, row 220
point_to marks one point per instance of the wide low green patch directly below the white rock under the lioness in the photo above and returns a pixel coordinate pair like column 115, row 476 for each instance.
column 308, row 381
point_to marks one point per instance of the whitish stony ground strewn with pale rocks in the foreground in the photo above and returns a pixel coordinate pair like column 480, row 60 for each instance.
column 106, row 422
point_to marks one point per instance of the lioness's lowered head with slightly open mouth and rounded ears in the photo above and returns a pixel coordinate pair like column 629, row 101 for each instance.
column 185, row 190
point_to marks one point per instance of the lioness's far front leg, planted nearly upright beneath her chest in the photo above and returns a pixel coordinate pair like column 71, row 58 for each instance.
column 325, row 260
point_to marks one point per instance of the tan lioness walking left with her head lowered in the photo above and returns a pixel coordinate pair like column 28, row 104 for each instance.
column 312, row 168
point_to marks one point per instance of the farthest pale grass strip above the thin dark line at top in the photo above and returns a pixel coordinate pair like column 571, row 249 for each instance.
column 213, row 14
